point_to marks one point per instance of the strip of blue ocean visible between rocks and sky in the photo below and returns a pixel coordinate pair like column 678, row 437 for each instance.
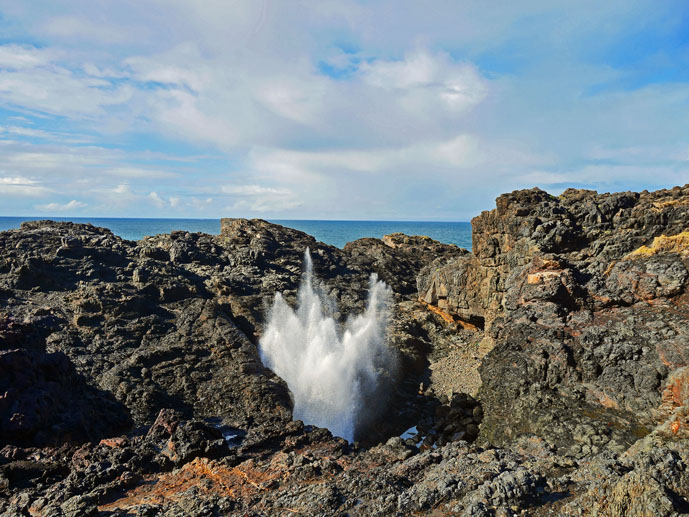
column 335, row 233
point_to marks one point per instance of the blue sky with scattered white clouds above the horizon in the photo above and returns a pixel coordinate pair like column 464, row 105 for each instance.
column 336, row 109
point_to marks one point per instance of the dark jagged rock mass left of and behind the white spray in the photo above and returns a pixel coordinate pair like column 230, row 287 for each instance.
column 170, row 321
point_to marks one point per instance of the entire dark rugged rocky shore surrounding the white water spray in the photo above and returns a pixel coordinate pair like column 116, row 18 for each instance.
column 546, row 372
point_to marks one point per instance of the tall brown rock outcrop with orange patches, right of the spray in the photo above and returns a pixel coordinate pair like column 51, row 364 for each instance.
column 585, row 297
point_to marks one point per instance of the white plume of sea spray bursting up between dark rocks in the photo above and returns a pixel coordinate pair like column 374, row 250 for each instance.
column 330, row 374
